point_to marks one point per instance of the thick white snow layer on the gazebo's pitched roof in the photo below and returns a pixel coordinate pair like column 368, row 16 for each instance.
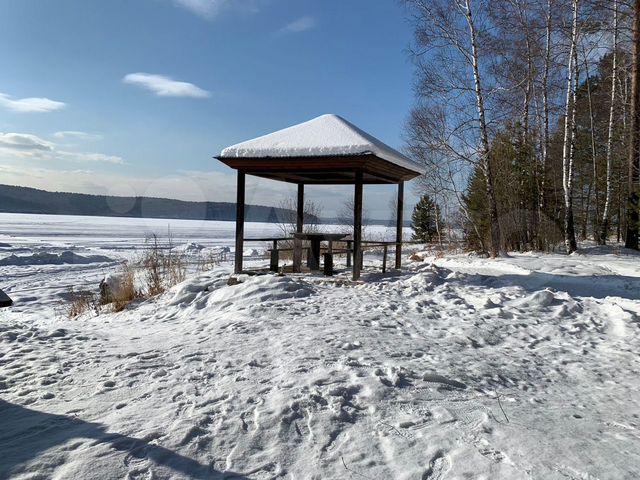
column 326, row 135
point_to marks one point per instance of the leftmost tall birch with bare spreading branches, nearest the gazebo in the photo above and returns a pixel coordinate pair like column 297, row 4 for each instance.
column 452, row 92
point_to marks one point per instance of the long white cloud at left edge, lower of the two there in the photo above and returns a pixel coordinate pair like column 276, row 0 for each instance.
column 26, row 145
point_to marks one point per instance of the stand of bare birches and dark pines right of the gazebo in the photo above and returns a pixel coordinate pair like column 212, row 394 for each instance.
column 527, row 119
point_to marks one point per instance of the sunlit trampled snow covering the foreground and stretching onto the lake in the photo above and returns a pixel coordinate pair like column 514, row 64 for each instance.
column 457, row 368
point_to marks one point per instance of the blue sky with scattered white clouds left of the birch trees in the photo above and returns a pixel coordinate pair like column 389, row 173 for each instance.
column 89, row 100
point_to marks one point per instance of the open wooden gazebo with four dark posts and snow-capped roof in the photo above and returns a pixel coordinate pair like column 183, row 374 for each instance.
column 327, row 150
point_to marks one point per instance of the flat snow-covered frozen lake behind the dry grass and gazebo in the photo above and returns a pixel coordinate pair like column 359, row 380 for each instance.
column 43, row 257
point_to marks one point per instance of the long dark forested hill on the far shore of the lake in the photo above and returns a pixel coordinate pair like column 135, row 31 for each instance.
column 30, row 200
